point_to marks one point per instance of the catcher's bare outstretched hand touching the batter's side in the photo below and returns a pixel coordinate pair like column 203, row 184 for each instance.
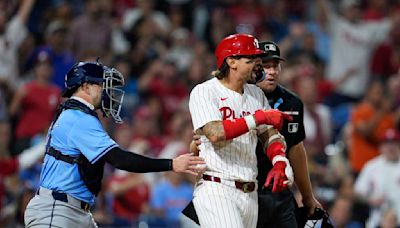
column 188, row 163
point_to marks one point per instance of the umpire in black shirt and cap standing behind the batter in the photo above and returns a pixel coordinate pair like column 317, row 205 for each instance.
column 278, row 209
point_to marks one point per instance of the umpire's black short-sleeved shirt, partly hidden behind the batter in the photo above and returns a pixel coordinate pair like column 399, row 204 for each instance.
column 284, row 100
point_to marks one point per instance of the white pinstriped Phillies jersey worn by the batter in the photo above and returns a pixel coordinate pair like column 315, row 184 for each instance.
column 211, row 101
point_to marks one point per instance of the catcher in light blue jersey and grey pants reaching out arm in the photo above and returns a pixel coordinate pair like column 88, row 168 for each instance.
column 78, row 147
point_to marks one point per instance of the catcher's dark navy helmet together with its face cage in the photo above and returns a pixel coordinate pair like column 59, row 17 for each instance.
column 95, row 72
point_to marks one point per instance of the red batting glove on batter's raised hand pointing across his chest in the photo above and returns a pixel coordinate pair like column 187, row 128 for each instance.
column 272, row 117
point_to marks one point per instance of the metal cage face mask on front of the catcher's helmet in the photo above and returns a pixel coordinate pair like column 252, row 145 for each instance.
column 113, row 95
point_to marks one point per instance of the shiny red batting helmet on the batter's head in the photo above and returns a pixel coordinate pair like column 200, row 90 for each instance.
column 235, row 45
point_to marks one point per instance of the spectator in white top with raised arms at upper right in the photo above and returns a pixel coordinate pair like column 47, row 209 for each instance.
column 352, row 42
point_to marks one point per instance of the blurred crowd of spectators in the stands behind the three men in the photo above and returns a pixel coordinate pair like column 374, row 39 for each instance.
column 343, row 60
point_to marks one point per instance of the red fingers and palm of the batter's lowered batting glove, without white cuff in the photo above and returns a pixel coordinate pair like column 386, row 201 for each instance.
column 278, row 176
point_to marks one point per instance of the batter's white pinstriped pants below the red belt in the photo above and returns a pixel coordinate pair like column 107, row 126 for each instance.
column 219, row 205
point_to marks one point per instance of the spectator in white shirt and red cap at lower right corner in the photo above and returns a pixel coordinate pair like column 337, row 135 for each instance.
column 378, row 181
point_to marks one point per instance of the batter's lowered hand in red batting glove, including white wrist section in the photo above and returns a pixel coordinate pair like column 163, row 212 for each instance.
column 281, row 176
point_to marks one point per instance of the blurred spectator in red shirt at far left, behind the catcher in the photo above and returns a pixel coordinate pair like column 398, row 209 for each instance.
column 35, row 103
